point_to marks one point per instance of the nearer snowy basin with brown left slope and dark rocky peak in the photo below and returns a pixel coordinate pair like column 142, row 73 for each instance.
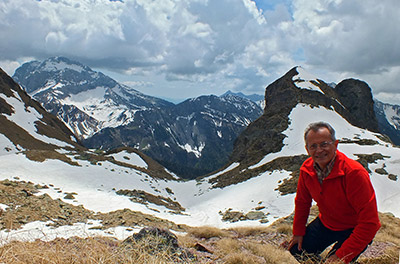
column 254, row 188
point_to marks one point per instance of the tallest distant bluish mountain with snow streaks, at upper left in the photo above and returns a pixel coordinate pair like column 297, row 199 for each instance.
column 85, row 100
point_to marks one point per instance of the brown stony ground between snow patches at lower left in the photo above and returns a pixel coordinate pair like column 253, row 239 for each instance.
column 24, row 206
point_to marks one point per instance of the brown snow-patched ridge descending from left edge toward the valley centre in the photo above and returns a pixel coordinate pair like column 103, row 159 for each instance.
column 28, row 130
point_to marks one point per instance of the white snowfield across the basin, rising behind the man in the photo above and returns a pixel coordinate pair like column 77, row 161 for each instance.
column 96, row 183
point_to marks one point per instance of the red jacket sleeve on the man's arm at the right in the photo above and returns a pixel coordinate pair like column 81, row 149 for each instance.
column 361, row 196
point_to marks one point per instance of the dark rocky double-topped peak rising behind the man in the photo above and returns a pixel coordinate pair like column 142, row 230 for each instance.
column 352, row 99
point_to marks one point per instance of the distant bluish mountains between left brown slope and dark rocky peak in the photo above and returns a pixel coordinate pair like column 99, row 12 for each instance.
column 192, row 138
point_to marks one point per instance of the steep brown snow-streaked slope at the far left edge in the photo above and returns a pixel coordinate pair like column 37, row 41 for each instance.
column 25, row 125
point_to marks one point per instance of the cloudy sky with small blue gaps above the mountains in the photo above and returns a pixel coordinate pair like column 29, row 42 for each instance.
column 185, row 48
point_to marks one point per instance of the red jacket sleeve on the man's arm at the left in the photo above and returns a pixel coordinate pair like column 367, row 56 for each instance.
column 303, row 202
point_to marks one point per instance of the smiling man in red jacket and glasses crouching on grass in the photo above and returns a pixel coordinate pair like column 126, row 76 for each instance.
column 342, row 189
